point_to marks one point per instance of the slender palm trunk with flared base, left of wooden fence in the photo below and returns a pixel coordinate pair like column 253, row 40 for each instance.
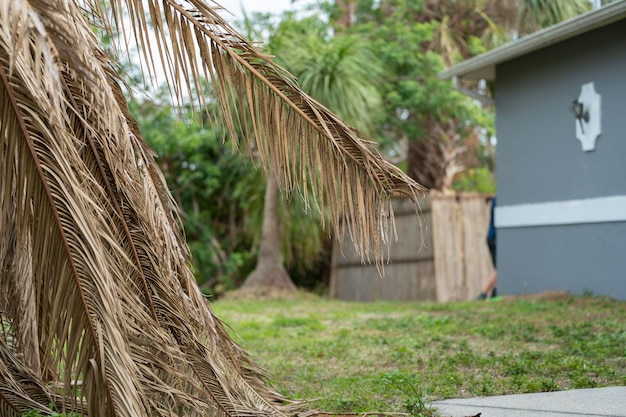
column 270, row 273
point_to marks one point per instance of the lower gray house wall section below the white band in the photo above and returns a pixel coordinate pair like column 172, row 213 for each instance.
column 582, row 258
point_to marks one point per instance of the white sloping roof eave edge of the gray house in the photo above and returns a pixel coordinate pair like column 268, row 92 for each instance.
column 483, row 66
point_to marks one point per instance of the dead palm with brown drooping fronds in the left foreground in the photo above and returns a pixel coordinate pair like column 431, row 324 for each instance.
column 100, row 312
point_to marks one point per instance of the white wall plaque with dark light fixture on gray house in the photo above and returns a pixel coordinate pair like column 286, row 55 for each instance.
column 587, row 111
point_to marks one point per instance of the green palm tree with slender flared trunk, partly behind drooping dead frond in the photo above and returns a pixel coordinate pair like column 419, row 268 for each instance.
column 341, row 73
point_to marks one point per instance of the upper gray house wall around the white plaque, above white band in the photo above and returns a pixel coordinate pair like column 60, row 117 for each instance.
column 539, row 157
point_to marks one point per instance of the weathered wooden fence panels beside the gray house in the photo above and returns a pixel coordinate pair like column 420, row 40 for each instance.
column 441, row 255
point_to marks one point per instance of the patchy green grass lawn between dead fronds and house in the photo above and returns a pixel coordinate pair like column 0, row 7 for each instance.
column 393, row 357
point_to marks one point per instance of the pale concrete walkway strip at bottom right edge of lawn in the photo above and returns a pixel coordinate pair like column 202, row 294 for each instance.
column 594, row 402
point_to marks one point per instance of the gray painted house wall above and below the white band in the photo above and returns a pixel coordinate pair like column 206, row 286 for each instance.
column 540, row 159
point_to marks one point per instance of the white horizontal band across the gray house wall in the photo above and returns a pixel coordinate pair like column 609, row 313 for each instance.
column 589, row 210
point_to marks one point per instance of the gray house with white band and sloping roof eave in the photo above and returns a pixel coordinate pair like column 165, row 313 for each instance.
column 561, row 160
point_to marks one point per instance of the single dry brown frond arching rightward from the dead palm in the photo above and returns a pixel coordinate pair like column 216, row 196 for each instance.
column 285, row 127
